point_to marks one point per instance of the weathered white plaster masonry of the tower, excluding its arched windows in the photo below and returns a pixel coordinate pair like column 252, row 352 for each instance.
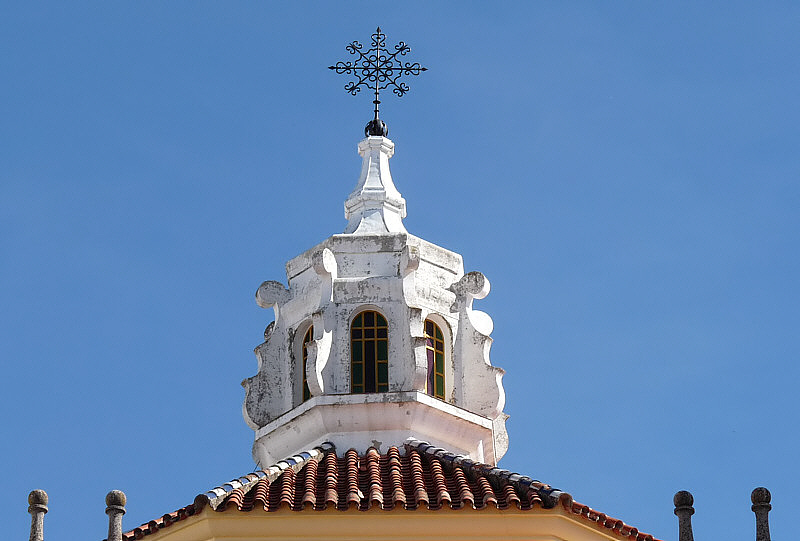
column 405, row 278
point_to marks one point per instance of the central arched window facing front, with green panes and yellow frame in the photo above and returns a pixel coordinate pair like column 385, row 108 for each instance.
column 369, row 353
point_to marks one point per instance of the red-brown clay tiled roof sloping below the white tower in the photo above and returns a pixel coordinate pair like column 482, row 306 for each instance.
column 422, row 476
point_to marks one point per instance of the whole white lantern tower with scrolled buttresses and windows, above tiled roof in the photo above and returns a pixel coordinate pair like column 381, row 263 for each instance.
column 375, row 339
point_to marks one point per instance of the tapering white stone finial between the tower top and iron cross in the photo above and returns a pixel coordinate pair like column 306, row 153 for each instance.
column 375, row 206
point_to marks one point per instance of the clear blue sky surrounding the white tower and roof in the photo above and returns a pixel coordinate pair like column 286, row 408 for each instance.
column 626, row 174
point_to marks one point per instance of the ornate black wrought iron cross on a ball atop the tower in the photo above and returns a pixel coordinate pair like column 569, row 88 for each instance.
column 378, row 69
